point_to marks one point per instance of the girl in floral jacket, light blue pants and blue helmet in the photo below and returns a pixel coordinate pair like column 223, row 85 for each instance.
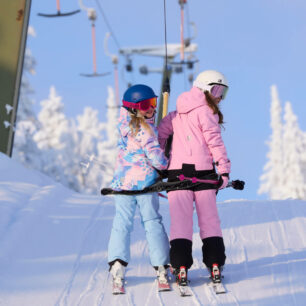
column 138, row 158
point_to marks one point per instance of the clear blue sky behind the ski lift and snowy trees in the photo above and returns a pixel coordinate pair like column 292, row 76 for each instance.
column 254, row 43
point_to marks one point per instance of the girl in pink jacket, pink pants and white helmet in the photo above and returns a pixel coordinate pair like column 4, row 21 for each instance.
column 197, row 149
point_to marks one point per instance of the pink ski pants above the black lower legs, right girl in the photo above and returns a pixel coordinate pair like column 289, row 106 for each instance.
column 181, row 213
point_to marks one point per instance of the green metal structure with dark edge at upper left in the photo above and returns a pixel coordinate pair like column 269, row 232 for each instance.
column 14, row 19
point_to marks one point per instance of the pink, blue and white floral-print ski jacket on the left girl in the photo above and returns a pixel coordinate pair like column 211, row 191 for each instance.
column 138, row 156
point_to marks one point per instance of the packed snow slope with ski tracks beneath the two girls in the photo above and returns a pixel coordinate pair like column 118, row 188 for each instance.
column 53, row 249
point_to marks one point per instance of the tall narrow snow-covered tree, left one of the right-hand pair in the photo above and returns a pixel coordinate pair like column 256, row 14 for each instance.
column 272, row 179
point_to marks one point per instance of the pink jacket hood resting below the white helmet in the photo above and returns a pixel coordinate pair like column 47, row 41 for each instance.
column 190, row 100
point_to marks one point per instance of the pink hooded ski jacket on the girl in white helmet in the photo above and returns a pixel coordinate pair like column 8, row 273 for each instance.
column 196, row 134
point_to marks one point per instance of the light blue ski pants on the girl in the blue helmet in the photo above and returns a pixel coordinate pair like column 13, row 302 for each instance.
column 119, row 243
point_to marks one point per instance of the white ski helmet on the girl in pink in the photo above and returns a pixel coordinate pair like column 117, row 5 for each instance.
column 208, row 78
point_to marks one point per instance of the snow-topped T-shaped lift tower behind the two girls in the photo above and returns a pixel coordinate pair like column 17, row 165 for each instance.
column 159, row 51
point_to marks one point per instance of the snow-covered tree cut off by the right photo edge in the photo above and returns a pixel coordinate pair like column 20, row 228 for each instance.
column 294, row 157
